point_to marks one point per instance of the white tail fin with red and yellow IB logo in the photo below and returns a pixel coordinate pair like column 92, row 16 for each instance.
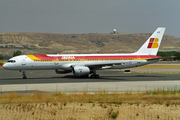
column 151, row 46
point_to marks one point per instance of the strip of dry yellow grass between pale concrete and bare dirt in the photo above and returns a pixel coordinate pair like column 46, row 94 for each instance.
column 171, row 96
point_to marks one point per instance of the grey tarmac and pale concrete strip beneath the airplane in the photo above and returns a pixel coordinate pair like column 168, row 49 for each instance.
column 110, row 80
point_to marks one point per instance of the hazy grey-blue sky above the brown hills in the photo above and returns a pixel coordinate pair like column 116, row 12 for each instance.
column 90, row 16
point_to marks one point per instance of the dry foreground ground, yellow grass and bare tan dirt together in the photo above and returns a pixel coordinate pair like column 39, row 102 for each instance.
column 151, row 105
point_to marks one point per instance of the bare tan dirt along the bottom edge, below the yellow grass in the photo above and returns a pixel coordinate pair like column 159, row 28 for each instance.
column 88, row 111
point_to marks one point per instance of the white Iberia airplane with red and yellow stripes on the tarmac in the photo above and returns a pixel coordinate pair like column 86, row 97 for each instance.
column 84, row 64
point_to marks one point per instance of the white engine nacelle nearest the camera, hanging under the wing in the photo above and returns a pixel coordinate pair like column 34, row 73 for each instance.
column 81, row 70
